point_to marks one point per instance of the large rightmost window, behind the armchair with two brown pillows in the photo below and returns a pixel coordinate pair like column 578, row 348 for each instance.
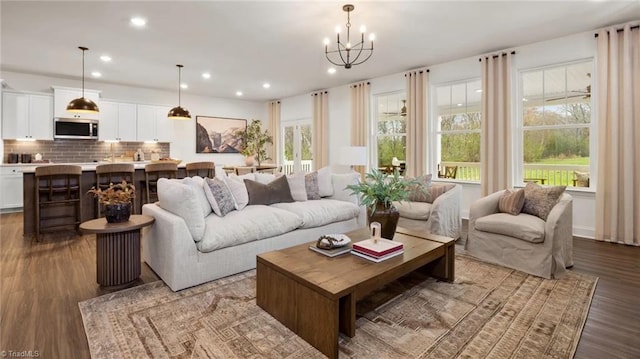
column 556, row 124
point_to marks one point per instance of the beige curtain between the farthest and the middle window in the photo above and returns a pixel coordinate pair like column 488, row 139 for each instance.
column 417, row 100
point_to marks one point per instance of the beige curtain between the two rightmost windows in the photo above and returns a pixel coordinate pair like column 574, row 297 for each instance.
column 495, row 142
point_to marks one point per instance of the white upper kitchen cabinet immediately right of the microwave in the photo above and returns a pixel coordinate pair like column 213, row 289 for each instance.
column 117, row 121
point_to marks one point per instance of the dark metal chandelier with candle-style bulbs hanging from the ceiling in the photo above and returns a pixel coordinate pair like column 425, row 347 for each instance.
column 349, row 54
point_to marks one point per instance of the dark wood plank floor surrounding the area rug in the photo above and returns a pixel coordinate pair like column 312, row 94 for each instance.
column 42, row 283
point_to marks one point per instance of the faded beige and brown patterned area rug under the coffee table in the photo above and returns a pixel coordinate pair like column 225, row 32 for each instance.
column 488, row 312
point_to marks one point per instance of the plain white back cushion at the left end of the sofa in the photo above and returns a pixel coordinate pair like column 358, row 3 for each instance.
column 181, row 199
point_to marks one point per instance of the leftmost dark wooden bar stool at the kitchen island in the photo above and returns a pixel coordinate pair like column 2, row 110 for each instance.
column 58, row 197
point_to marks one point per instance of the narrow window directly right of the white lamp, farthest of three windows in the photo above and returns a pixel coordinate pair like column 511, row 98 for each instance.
column 391, row 120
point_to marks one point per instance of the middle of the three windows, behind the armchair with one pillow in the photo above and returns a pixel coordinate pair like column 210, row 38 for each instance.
column 457, row 130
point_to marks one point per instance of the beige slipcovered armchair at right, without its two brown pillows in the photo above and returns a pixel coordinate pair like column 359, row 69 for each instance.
column 526, row 242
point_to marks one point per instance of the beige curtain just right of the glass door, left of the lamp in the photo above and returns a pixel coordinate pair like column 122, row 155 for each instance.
column 320, row 129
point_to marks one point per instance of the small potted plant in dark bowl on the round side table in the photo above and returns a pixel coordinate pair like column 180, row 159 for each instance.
column 116, row 200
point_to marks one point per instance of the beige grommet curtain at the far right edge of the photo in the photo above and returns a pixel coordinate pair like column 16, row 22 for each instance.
column 618, row 185
